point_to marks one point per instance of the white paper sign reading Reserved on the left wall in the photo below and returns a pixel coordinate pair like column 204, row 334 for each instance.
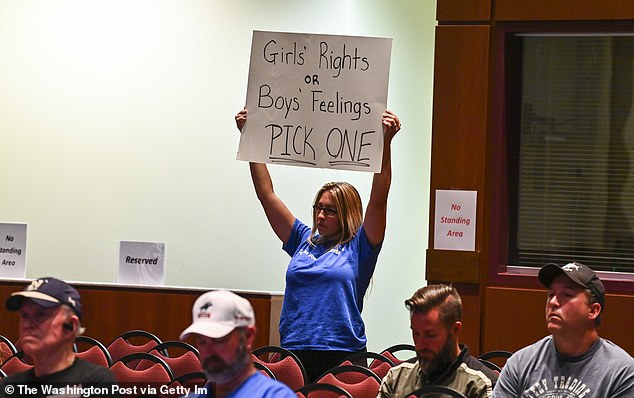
column 141, row 263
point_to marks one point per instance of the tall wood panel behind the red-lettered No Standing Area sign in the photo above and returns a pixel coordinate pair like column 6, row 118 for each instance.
column 459, row 126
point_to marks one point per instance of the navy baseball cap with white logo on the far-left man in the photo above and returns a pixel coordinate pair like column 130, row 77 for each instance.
column 47, row 292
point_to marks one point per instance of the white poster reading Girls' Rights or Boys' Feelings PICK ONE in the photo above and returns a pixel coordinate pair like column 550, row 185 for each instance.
column 316, row 100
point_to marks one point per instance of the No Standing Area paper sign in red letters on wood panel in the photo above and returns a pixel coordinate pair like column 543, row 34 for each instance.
column 454, row 226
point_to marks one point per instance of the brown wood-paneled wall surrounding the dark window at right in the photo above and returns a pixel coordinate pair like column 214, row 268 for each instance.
column 466, row 103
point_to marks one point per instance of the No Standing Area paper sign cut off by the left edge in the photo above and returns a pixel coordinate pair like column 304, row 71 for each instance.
column 12, row 250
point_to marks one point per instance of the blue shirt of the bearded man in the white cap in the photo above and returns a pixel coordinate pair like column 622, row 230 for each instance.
column 256, row 386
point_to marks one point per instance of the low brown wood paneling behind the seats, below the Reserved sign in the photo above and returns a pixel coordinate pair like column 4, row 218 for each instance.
column 109, row 311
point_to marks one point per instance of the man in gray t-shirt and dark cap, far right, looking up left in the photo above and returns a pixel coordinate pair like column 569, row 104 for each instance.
column 573, row 362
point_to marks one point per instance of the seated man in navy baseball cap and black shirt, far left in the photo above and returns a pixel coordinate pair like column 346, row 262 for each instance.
column 50, row 319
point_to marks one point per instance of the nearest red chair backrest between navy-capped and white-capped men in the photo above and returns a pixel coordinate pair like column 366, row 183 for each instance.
column 157, row 374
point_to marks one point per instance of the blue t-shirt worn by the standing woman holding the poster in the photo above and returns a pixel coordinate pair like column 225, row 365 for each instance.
column 324, row 292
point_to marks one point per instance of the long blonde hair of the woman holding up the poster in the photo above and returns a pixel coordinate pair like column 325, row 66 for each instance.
column 349, row 210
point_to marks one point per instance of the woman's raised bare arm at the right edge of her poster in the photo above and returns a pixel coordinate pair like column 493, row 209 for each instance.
column 375, row 218
